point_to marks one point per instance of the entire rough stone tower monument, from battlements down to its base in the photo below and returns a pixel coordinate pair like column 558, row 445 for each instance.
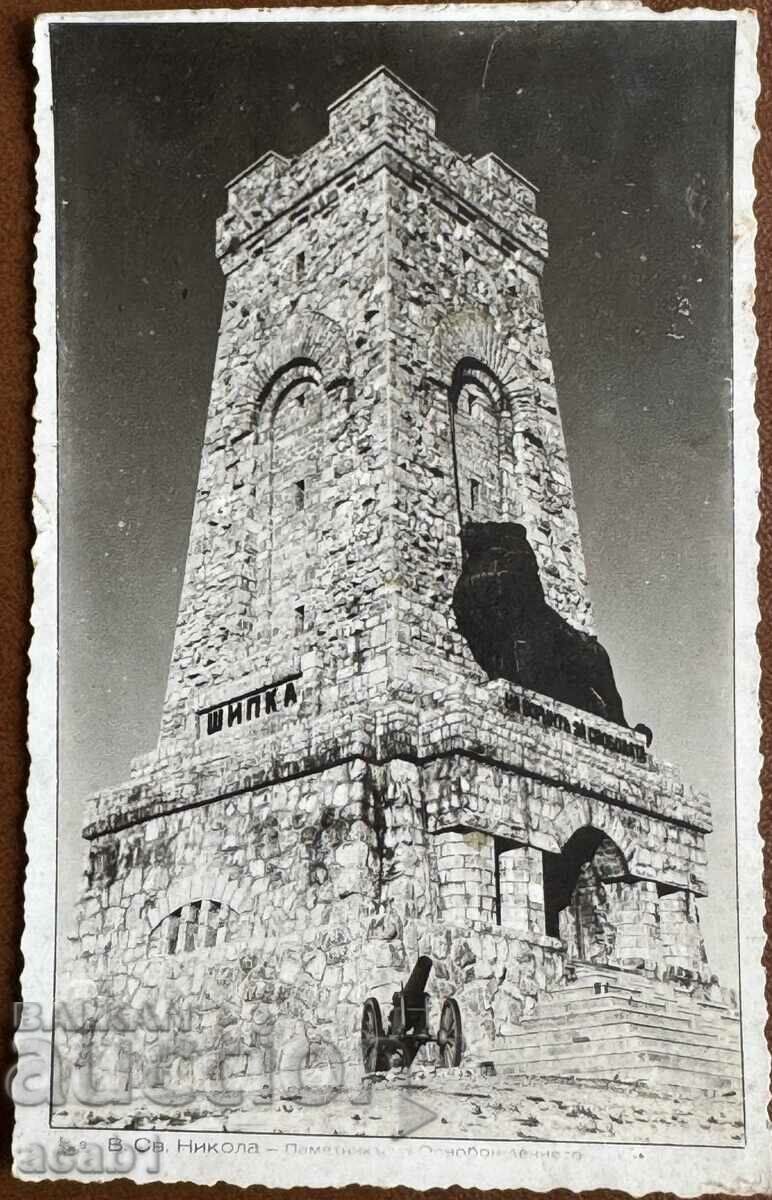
column 343, row 782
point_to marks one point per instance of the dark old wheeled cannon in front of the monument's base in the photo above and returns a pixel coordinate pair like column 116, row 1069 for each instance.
column 408, row 1029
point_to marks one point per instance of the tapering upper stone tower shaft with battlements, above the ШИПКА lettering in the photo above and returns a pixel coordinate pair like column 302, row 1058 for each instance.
column 378, row 237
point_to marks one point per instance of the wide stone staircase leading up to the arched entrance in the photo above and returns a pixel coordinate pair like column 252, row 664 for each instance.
column 618, row 1025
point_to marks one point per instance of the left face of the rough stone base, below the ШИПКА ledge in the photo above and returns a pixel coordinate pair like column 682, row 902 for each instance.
column 298, row 867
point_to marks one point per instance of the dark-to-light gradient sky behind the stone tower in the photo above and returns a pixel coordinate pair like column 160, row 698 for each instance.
column 626, row 130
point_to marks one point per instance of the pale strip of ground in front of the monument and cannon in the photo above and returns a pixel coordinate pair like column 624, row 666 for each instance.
column 430, row 1103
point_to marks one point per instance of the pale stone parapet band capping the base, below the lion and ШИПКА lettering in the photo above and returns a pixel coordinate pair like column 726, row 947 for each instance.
column 488, row 765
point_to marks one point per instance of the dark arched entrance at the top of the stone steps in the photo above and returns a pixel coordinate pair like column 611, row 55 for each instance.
column 584, row 889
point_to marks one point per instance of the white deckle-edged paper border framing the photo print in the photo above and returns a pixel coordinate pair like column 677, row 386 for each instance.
column 635, row 1169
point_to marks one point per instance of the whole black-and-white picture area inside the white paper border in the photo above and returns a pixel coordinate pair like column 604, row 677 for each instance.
column 397, row 591
